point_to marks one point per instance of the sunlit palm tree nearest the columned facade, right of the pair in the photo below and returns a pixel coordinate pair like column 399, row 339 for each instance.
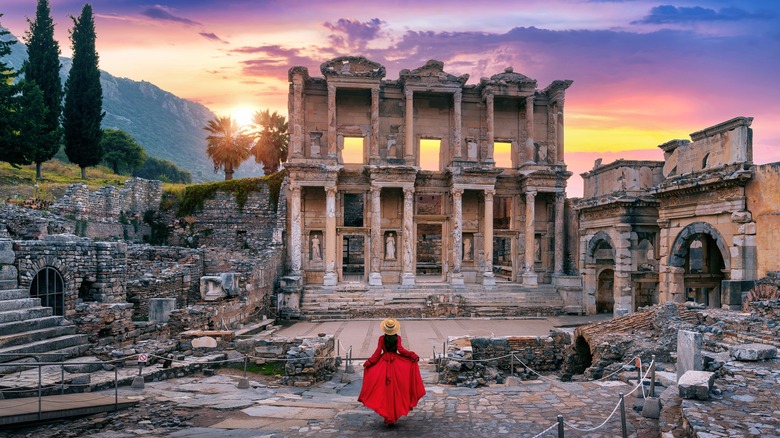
column 272, row 137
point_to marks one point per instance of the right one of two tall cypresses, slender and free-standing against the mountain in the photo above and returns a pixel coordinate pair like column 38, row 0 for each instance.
column 83, row 109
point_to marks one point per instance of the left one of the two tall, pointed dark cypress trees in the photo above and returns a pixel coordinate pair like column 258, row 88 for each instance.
column 43, row 69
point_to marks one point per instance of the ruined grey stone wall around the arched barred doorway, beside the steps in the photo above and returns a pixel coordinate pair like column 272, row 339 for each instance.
column 98, row 269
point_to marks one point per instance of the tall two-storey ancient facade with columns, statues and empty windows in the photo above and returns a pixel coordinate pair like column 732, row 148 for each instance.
column 424, row 179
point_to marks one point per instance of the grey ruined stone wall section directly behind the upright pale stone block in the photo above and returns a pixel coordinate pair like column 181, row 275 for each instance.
column 162, row 272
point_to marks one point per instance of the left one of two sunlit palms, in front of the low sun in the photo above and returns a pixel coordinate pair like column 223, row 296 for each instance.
column 228, row 145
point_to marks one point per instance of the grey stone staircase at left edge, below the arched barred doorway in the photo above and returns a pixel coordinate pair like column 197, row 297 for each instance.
column 27, row 330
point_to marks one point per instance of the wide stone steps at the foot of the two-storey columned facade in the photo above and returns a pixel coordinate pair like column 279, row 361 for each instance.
column 429, row 300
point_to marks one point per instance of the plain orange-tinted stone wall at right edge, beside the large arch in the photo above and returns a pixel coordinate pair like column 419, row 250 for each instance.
column 763, row 202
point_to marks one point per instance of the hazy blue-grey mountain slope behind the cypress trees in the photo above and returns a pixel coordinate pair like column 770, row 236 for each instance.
column 167, row 126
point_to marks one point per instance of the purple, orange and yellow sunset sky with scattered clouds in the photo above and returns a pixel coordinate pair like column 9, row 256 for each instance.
column 644, row 72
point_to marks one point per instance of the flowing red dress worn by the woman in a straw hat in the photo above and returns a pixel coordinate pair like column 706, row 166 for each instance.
column 392, row 384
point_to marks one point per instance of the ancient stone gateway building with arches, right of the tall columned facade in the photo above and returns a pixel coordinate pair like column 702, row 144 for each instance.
column 698, row 226
